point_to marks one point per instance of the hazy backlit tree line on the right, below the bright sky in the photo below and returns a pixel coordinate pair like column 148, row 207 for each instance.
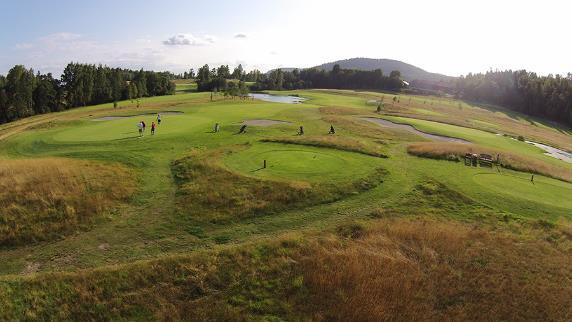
column 549, row 97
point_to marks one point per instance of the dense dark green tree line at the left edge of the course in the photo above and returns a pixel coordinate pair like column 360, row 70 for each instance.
column 24, row 93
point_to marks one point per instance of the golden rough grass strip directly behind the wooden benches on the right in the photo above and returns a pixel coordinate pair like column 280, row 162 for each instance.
column 457, row 151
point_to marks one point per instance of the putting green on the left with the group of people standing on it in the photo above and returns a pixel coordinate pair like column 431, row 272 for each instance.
column 126, row 128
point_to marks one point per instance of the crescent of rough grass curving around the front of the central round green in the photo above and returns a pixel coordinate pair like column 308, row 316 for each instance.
column 209, row 191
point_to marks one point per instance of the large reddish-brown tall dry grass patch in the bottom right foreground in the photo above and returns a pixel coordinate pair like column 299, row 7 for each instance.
column 435, row 271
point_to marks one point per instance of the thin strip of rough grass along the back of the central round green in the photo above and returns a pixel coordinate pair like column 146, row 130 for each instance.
column 334, row 142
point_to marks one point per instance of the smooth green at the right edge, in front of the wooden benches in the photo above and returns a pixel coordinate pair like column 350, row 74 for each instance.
column 543, row 190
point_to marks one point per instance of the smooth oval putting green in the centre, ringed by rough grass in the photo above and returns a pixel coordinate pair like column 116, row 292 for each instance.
column 301, row 163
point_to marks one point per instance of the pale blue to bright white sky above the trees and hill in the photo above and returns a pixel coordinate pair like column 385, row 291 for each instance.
column 448, row 37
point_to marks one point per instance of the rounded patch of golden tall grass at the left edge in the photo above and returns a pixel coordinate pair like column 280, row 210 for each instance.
column 42, row 199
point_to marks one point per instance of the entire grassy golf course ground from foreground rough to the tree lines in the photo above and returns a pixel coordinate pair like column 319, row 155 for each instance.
column 193, row 217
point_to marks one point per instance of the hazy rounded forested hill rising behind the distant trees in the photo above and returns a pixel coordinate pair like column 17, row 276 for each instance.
column 408, row 71
